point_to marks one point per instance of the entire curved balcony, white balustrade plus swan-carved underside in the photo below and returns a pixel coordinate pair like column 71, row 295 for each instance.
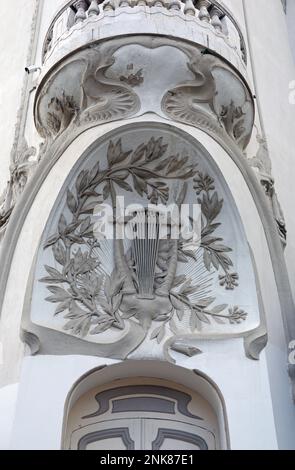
column 115, row 59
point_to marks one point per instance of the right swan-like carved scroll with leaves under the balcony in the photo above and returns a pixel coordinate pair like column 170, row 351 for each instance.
column 199, row 102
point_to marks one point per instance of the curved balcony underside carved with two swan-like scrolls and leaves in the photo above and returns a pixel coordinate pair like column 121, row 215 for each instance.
column 116, row 80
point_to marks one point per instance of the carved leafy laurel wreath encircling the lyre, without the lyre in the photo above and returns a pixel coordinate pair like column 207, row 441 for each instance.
column 93, row 301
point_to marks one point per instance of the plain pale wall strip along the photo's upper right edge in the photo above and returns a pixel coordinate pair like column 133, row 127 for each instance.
column 272, row 58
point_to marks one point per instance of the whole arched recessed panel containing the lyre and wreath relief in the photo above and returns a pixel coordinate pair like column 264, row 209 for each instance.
column 147, row 296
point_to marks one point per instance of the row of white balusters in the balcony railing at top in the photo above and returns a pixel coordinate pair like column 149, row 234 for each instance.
column 211, row 13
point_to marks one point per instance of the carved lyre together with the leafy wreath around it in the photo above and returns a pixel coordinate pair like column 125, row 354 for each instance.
column 162, row 286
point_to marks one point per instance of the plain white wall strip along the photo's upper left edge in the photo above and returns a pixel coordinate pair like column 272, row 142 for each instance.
column 15, row 31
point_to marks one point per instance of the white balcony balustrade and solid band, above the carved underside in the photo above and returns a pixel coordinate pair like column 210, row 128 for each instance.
column 201, row 21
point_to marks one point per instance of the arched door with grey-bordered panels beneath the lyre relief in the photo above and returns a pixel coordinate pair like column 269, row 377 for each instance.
column 142, row 413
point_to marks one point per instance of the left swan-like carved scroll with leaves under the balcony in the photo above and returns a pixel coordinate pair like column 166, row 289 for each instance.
column 97, row 98
